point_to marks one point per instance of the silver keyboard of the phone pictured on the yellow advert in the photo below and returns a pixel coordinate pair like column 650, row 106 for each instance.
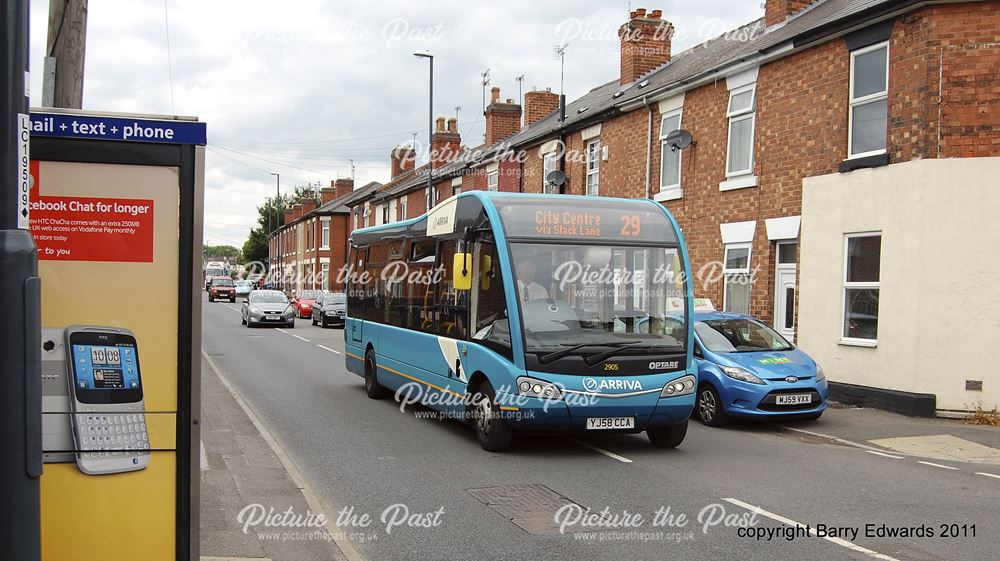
column 113, row 436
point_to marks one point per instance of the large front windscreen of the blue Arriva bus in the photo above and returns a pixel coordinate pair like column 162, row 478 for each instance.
column 593, row 298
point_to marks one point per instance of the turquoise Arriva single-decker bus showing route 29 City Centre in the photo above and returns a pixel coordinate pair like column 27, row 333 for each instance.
column 528, row 312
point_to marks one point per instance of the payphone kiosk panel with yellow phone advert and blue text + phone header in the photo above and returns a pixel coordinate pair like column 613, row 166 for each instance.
column 113, row 213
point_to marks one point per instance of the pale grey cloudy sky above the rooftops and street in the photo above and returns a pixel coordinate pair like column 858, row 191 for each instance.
column 300, row 88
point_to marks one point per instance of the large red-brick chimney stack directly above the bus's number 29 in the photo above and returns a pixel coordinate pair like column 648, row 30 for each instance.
column 645, row 44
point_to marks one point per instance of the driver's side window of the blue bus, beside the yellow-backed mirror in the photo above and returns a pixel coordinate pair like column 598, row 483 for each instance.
column 492, row 328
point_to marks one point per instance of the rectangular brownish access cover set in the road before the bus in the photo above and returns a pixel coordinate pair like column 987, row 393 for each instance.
column 530, row 507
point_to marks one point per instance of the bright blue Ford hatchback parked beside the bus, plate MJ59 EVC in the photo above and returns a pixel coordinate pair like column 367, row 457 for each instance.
column 747, row 369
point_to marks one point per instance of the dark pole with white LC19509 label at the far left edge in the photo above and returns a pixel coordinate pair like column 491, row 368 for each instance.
column 21, row 331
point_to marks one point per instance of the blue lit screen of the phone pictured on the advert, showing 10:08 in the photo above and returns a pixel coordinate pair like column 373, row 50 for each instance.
column 105, row 367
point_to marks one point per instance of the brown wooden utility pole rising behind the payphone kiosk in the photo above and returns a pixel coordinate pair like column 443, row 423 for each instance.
column 66, row 45
